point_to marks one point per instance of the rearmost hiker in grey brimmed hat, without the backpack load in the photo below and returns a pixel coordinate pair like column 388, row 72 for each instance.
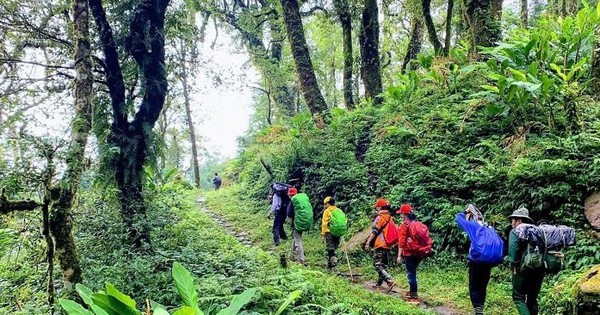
column 527, row 282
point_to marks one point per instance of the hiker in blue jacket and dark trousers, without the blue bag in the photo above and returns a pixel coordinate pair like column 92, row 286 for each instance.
column 479, row 273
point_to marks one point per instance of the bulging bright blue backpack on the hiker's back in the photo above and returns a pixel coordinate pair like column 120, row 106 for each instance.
column 487, row 246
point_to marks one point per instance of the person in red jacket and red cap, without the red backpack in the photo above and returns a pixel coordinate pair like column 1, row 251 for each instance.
column 405, row 255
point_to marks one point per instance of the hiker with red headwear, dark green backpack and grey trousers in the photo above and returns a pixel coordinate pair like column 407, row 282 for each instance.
column 300, row 211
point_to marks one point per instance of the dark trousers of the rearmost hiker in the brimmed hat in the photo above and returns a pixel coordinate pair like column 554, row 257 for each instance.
column 526, row 287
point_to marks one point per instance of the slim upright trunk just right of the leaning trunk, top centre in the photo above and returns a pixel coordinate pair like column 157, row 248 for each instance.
column 341, row 6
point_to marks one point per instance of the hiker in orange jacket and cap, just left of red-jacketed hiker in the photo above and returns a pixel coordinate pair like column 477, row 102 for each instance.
column 381, row 239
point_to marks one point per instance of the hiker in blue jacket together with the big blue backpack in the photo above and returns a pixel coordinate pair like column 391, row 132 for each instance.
column 486, row 251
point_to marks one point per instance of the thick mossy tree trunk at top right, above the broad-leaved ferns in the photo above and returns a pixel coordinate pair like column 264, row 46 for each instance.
column 483, row 19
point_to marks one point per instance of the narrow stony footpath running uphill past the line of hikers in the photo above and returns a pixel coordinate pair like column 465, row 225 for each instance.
column 243, row 237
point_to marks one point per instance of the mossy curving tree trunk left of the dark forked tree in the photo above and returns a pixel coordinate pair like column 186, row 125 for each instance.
column 61, row 221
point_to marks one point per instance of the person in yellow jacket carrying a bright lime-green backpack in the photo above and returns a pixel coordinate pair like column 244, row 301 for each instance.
column 333, row 227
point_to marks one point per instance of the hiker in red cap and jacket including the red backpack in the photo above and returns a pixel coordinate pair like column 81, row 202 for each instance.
column 414, row 244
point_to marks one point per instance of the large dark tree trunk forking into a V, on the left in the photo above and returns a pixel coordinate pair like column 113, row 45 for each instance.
column 146, row 43
